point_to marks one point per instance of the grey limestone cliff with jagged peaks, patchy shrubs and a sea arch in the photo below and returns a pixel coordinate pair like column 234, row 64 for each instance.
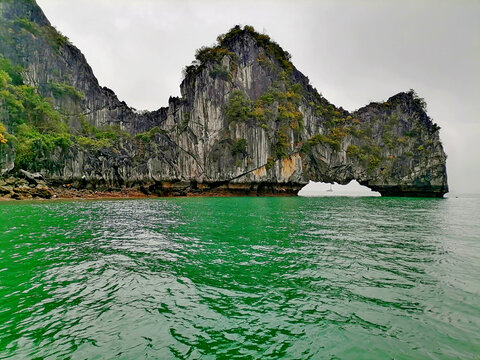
column 247, row 121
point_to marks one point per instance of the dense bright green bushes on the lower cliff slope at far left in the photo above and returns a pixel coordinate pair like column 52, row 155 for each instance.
column 35, row 128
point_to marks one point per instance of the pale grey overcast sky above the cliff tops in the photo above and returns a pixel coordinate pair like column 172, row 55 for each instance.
column 353, row 52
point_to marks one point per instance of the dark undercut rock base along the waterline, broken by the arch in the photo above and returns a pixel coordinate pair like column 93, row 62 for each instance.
column 29, row 188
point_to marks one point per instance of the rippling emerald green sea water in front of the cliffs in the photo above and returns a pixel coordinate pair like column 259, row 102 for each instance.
column 241, row 278
